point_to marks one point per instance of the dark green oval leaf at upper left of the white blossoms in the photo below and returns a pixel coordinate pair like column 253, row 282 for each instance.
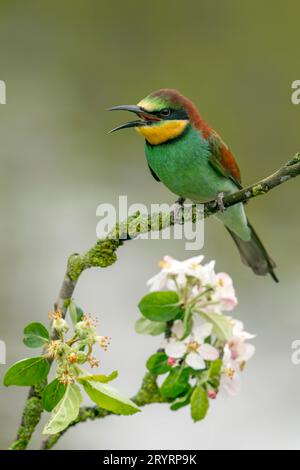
column 161, row 306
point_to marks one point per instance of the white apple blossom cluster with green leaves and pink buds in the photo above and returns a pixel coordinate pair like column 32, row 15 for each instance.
column 204, row 347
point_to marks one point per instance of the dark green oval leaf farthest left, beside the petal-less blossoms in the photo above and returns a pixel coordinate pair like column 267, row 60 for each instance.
column 27, row 372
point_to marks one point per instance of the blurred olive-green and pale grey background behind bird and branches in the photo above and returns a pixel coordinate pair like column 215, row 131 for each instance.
column 64, row 64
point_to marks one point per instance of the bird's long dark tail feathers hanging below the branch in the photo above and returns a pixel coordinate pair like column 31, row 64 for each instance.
column 254, row 254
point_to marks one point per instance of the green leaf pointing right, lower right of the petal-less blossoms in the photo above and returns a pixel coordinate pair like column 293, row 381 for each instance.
column 109, row 398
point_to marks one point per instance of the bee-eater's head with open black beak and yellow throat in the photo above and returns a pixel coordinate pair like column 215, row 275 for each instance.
column 164, row 115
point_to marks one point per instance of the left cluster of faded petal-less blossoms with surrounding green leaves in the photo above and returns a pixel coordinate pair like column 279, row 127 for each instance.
column 62, row 397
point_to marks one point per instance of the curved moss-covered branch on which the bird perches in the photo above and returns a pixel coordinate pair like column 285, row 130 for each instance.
column 103, row 254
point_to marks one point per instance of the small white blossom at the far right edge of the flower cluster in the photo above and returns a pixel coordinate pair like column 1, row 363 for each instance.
column 241, row 351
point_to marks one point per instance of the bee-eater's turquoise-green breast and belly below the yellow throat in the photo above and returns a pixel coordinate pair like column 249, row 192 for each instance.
column 183, row 166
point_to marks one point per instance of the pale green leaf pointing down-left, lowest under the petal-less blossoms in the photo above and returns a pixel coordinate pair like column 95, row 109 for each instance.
column 66, row 411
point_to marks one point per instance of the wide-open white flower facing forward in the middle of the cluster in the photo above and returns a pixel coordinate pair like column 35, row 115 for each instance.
column 193, row 348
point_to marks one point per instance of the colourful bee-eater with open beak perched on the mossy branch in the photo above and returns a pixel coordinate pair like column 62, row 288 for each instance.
column 191, row 159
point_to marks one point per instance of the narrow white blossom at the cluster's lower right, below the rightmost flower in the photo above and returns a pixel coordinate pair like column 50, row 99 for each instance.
column 230, row 379
